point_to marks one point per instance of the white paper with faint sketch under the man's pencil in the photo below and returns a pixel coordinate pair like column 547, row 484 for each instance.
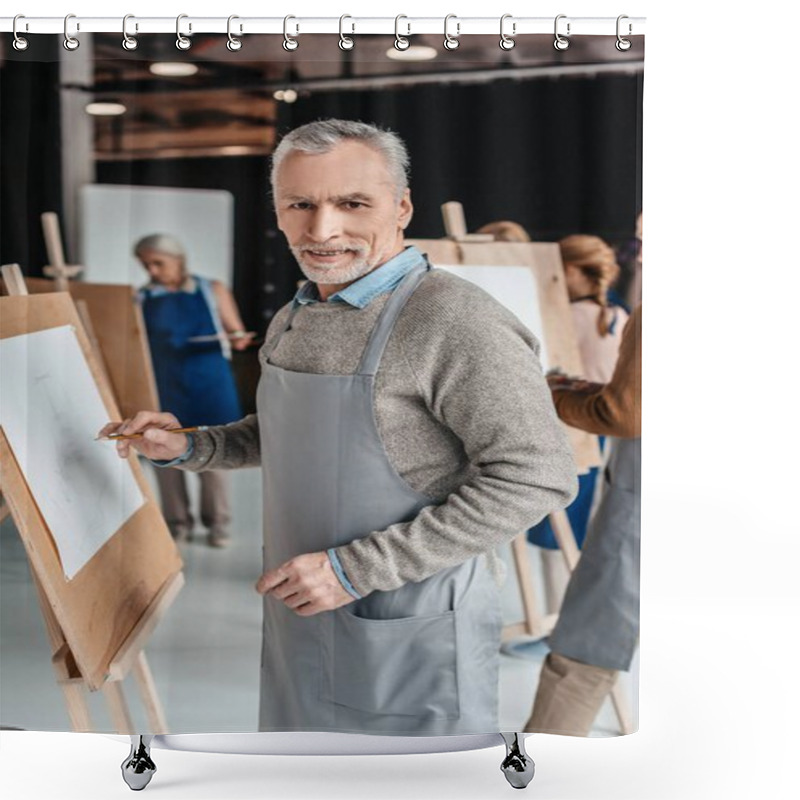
column 51, row 411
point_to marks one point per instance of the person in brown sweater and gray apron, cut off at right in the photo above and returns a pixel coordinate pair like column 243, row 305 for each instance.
column 598, row 627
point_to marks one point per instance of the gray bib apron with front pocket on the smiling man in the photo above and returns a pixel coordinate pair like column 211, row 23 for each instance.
column 421, row 659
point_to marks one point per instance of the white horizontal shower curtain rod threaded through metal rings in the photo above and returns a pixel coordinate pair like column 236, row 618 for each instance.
column 349, row 25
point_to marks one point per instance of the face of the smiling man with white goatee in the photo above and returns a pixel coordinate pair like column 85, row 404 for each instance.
column 339, row 212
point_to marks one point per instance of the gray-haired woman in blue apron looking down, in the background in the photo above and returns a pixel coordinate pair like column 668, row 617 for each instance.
column 192, row 324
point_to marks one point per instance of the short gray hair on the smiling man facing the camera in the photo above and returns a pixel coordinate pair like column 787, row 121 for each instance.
column 323, row 135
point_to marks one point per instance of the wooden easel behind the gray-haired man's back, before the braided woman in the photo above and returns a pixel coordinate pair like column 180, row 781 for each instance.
column 461, row 247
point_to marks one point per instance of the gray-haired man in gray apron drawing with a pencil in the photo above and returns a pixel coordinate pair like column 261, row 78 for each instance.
column 404, row 430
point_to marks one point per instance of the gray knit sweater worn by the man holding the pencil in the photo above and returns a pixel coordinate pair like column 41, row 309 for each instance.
column 464, row 413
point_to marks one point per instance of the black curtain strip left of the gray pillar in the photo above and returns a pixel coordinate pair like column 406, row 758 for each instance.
column 30, row 155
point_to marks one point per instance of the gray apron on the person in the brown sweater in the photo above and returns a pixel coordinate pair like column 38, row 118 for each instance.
column 599, row 619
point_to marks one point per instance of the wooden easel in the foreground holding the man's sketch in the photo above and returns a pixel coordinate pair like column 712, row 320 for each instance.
column 80, row 665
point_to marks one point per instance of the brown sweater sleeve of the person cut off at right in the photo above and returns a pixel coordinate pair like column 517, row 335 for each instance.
column 616, row 408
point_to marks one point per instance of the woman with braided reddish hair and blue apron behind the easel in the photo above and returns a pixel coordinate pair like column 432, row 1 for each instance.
column 590, row 269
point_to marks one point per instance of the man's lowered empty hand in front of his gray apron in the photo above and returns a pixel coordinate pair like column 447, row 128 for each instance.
column 307, row 584
